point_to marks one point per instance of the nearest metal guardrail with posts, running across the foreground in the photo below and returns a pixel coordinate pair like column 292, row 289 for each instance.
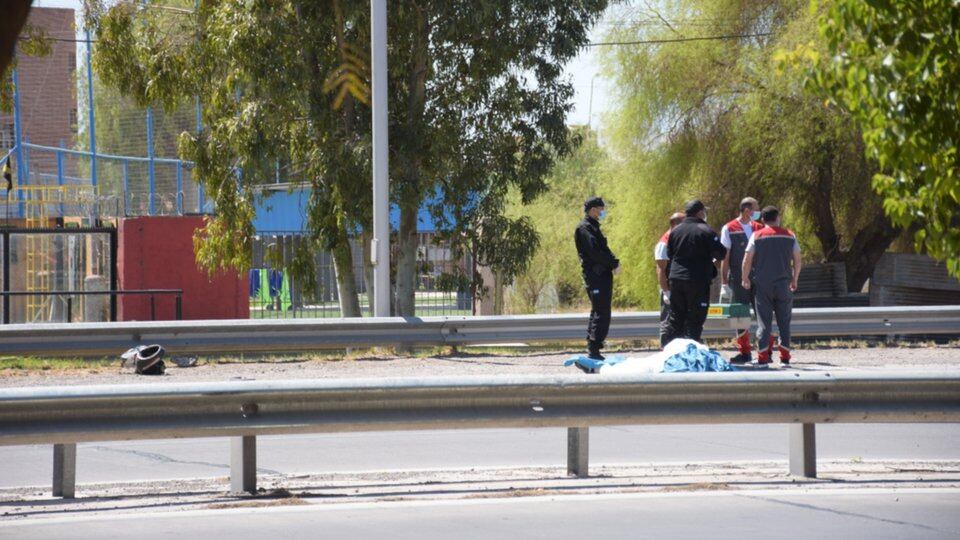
column 65, row 416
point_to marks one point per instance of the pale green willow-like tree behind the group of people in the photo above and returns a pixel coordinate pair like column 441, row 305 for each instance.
column 716, row 119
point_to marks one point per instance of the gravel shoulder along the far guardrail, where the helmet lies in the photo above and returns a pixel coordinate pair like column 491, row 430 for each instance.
column 475, row 361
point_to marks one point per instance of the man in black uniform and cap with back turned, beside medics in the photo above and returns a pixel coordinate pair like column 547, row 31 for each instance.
column 692, row 247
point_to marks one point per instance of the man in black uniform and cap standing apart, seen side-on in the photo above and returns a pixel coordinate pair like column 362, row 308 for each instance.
column 599, row 265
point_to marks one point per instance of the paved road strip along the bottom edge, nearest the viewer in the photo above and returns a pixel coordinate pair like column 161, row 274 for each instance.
column 736, row 515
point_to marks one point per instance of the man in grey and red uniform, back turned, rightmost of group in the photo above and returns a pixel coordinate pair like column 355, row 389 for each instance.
column 770, row 252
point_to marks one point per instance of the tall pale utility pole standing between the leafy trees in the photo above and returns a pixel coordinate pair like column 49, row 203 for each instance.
column 380, row 245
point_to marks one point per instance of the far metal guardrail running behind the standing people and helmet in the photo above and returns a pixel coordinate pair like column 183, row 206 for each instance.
column 228, row 336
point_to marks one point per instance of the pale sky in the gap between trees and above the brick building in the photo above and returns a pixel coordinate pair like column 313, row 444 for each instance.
column 583, row 72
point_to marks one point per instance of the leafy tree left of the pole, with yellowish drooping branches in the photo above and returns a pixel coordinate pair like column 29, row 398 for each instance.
column 278, row 83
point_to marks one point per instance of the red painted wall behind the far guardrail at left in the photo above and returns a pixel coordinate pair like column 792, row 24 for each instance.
column 157, row 253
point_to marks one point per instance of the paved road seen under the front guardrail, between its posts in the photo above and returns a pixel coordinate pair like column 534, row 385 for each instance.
column 348, row 452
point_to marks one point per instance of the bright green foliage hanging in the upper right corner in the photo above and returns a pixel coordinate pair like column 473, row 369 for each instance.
column 894, row 65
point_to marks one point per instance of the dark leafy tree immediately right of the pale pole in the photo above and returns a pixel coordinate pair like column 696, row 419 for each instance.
column 478, row 107
